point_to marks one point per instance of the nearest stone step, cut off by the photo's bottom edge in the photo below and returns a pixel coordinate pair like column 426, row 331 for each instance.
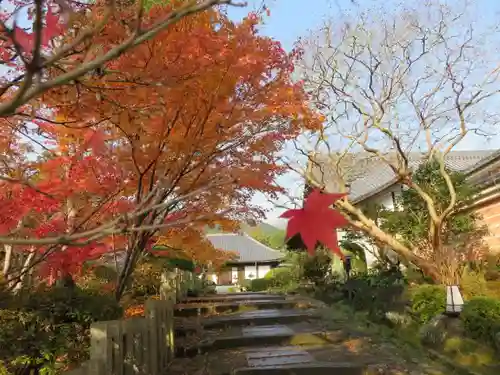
column 313, row 368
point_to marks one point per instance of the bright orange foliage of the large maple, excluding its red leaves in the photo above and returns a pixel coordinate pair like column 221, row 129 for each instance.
column 206, row 105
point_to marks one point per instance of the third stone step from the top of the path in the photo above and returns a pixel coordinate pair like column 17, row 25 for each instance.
column 255, row 317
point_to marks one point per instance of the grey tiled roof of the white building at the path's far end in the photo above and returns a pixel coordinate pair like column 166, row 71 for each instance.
column 247, row 249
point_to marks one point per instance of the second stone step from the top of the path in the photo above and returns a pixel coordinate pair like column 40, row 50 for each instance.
column 206, row 308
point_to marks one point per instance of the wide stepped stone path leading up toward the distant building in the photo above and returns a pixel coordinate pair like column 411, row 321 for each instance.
column 268, row 334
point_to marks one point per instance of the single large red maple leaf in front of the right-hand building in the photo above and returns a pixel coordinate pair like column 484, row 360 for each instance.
column 316, row 221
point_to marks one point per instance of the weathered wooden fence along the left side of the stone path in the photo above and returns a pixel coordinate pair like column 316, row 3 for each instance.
column 138, row 346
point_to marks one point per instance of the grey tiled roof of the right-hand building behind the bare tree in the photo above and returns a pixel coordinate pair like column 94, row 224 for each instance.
column 368, row 175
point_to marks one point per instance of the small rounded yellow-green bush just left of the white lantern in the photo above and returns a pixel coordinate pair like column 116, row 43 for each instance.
column 427, row 301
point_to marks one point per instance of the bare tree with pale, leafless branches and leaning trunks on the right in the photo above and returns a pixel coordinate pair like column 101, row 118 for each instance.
column 397, row 88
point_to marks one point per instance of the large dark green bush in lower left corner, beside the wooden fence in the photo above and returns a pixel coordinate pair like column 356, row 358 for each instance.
column 52, row 323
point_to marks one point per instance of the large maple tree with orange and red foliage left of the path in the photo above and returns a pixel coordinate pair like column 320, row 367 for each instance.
column 178, row 132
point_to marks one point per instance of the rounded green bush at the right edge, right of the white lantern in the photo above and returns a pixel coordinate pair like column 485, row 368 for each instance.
column 481, row 317
